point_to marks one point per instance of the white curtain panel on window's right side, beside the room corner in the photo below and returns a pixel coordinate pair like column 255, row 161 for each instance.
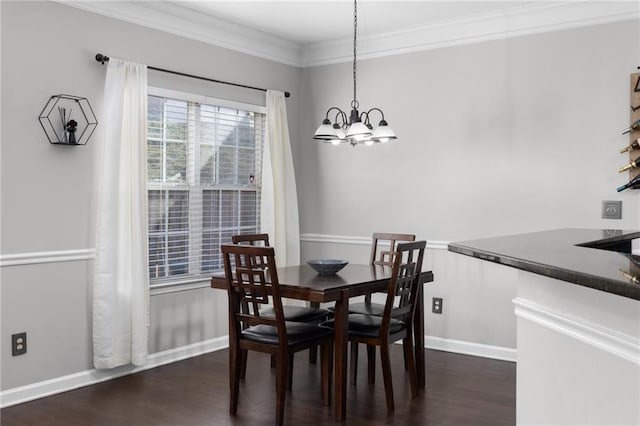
column 279, row 201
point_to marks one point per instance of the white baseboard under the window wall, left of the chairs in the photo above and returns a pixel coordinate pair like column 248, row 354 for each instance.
column 69, row 382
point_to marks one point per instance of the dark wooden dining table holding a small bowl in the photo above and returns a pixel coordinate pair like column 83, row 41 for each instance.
column 301, row 282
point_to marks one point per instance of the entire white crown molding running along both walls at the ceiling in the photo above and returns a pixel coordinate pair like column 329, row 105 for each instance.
column 539, row 18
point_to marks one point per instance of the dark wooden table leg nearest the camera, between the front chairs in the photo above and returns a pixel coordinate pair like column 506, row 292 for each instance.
column 341, row 341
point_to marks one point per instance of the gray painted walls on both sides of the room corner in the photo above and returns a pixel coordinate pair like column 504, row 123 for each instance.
column 495, row 138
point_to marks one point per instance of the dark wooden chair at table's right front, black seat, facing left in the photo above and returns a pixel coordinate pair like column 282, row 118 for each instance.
column 396, row 322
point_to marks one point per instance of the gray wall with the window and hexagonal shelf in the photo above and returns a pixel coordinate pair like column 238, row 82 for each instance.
column 47, row 190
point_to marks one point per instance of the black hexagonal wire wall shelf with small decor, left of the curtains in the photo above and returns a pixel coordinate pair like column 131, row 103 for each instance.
column 68, row 120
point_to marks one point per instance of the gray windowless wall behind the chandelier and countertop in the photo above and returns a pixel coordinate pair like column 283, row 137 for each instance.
column 495, row 138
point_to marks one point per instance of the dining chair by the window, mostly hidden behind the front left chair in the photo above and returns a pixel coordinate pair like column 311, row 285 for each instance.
column 311, row 314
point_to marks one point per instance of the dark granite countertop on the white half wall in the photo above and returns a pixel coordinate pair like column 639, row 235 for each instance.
column 562, row 254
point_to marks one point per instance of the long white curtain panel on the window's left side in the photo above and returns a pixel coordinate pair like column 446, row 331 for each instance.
column 121, row 278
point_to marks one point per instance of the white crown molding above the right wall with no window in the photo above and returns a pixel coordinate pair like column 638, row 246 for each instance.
column 519, row 21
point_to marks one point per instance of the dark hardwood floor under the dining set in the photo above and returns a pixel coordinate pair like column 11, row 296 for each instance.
column 461, row 390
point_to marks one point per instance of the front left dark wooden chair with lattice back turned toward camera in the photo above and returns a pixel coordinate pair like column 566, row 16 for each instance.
column 252, row 280
